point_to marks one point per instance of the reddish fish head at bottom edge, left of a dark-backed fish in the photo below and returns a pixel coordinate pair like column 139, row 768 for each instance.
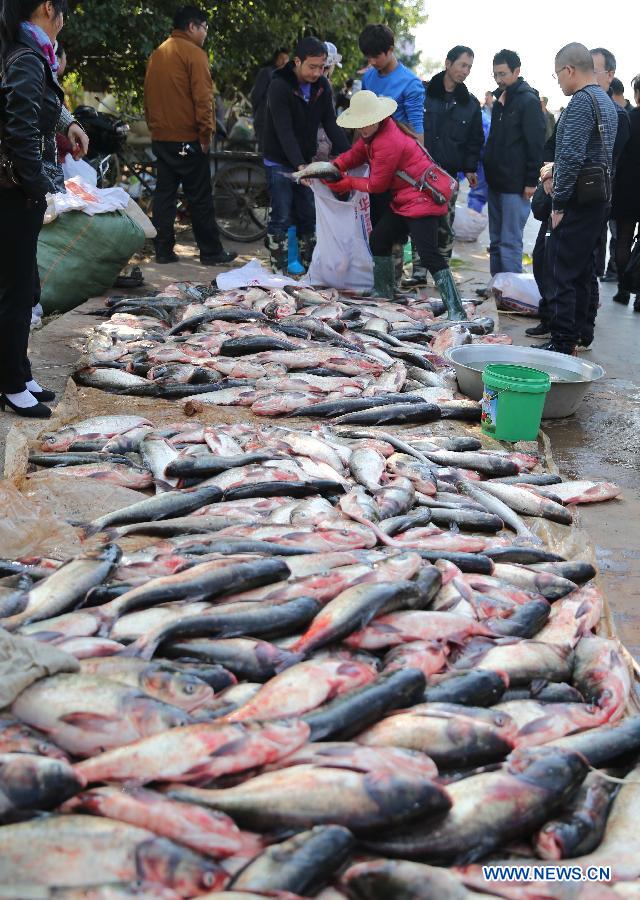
column 162, row 862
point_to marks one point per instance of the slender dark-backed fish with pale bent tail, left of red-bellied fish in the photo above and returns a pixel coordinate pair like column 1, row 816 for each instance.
column 262, row 619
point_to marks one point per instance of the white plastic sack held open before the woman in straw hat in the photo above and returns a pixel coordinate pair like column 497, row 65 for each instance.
column 341, row 257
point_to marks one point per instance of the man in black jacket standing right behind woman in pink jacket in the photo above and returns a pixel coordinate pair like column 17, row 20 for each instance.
column 453, row 132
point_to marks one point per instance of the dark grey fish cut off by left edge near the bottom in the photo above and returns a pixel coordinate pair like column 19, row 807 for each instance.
column 32, row 782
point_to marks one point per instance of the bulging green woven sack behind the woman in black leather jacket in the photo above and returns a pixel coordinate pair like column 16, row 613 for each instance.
column 80, row 256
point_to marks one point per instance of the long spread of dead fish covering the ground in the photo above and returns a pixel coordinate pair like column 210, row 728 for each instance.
column 326, row 638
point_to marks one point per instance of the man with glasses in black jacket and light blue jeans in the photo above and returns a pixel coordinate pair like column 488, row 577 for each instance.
column 512, row 161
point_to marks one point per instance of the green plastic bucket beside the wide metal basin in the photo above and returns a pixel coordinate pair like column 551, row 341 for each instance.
column 512, row 401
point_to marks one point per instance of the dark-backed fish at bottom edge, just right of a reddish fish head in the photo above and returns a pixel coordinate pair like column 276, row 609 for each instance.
column 302, row 864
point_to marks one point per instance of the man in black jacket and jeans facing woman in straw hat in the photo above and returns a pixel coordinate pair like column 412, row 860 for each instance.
column 299, row 101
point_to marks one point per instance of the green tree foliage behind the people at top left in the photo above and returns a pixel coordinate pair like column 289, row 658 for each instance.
column 108, row 42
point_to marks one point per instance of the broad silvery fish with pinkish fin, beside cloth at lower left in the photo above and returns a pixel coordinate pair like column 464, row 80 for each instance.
column 84, row 715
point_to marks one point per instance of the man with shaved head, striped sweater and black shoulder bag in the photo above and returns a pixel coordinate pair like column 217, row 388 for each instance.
column 584, row 140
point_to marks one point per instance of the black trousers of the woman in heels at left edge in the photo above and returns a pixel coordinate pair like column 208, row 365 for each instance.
column 20, row 224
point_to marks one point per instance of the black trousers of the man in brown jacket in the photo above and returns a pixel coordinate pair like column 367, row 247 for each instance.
column 193, row 173
